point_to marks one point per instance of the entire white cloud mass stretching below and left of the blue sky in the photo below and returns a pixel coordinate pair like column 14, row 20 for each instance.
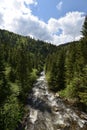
column 16, row 16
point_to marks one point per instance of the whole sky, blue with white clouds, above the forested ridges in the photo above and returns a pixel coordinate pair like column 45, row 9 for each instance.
column 54, row 21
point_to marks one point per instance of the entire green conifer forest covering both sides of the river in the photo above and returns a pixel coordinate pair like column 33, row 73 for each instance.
column 21, row 61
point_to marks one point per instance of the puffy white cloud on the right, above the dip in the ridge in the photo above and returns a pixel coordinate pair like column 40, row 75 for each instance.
column 70, row 25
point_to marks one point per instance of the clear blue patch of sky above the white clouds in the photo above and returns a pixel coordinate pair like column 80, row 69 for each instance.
column 48, row 8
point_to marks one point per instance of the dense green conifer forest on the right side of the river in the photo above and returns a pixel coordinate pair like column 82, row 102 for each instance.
column 66, row 69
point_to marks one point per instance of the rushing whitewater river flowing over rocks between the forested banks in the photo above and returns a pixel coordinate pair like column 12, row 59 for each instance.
column 49, row 112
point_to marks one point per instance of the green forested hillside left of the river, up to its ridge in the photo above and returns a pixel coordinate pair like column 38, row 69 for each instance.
column 21, row 60
